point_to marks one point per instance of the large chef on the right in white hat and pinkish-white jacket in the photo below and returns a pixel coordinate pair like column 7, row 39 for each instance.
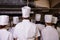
column 49, row 33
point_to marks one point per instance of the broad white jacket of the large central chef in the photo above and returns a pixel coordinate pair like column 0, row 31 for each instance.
column 26, row 30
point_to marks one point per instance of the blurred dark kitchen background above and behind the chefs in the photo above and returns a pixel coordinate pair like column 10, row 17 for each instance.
column 13, row 8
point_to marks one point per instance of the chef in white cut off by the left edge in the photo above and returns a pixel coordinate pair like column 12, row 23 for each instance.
column 4, row 34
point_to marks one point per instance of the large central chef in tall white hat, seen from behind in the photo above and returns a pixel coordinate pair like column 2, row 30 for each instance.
column 26, row 30
